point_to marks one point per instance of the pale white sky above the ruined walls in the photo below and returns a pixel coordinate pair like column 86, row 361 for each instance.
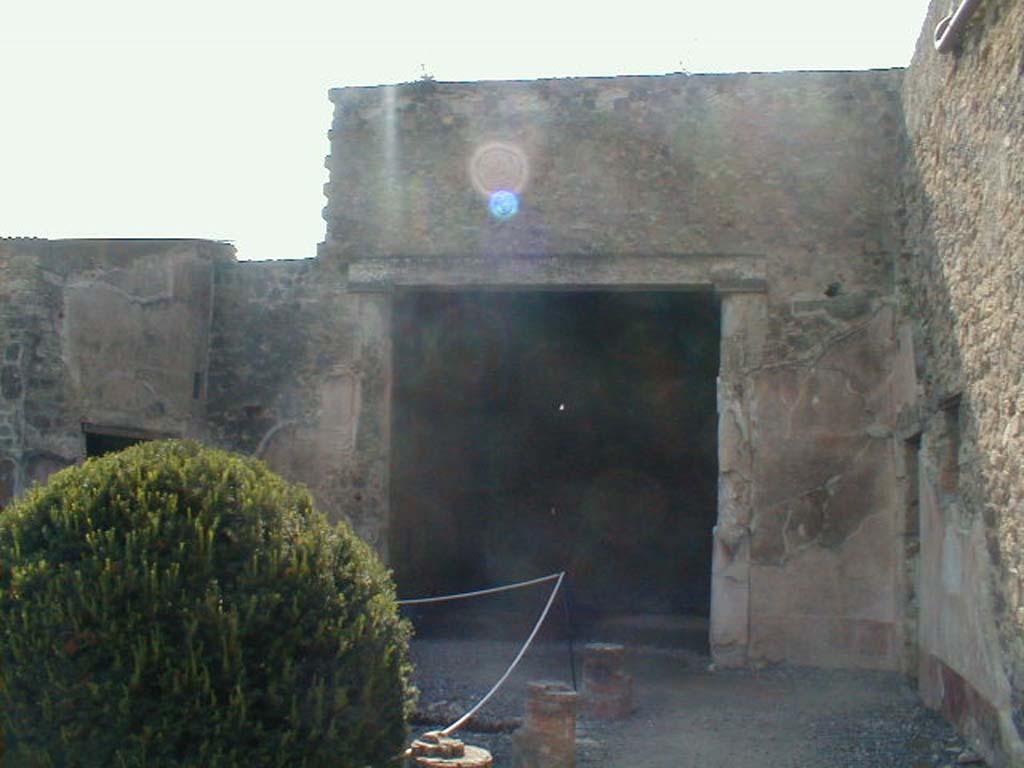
column 209, row 119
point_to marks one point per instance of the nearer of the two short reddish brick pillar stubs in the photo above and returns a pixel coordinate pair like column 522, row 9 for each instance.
column 548, row 737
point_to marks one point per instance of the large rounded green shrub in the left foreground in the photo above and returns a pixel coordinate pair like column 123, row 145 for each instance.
column 176, row 606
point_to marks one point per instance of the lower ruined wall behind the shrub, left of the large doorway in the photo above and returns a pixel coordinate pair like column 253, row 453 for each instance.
column 175, row 338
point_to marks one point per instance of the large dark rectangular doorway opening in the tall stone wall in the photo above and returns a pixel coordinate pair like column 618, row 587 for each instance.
column 541, row 432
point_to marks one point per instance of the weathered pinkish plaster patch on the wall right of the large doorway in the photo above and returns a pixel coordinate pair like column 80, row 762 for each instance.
column 824, row 554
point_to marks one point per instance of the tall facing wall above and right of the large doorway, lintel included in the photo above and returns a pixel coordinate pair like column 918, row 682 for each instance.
column 781, row 193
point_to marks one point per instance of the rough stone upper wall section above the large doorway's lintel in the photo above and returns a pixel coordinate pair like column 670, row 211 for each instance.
column 708, row 164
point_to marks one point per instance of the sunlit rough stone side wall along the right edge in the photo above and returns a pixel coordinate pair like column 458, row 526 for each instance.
column 962, row 294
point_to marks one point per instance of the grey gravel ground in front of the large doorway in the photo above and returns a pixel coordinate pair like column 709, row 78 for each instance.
column 692, row 716
